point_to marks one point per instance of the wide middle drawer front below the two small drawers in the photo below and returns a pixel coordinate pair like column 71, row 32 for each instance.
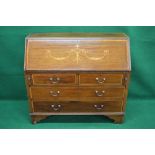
column 75, row 93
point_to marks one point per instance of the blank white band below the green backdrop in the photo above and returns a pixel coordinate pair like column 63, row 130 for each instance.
column 76, row 142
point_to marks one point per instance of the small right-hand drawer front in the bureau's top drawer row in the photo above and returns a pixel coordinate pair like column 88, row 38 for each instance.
column 100, row 79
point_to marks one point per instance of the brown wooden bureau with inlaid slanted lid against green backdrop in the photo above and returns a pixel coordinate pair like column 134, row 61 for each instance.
column 77, row 74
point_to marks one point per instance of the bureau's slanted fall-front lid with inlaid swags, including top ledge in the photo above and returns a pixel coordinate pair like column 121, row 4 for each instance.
column 77, row 52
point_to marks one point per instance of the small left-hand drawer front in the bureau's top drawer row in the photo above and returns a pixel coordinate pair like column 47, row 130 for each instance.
column 54, row 79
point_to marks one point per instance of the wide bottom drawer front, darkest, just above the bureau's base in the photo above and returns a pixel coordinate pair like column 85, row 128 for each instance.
column 107, row 106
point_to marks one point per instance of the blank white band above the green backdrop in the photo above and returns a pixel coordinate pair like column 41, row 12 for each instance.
column 77, row 12
